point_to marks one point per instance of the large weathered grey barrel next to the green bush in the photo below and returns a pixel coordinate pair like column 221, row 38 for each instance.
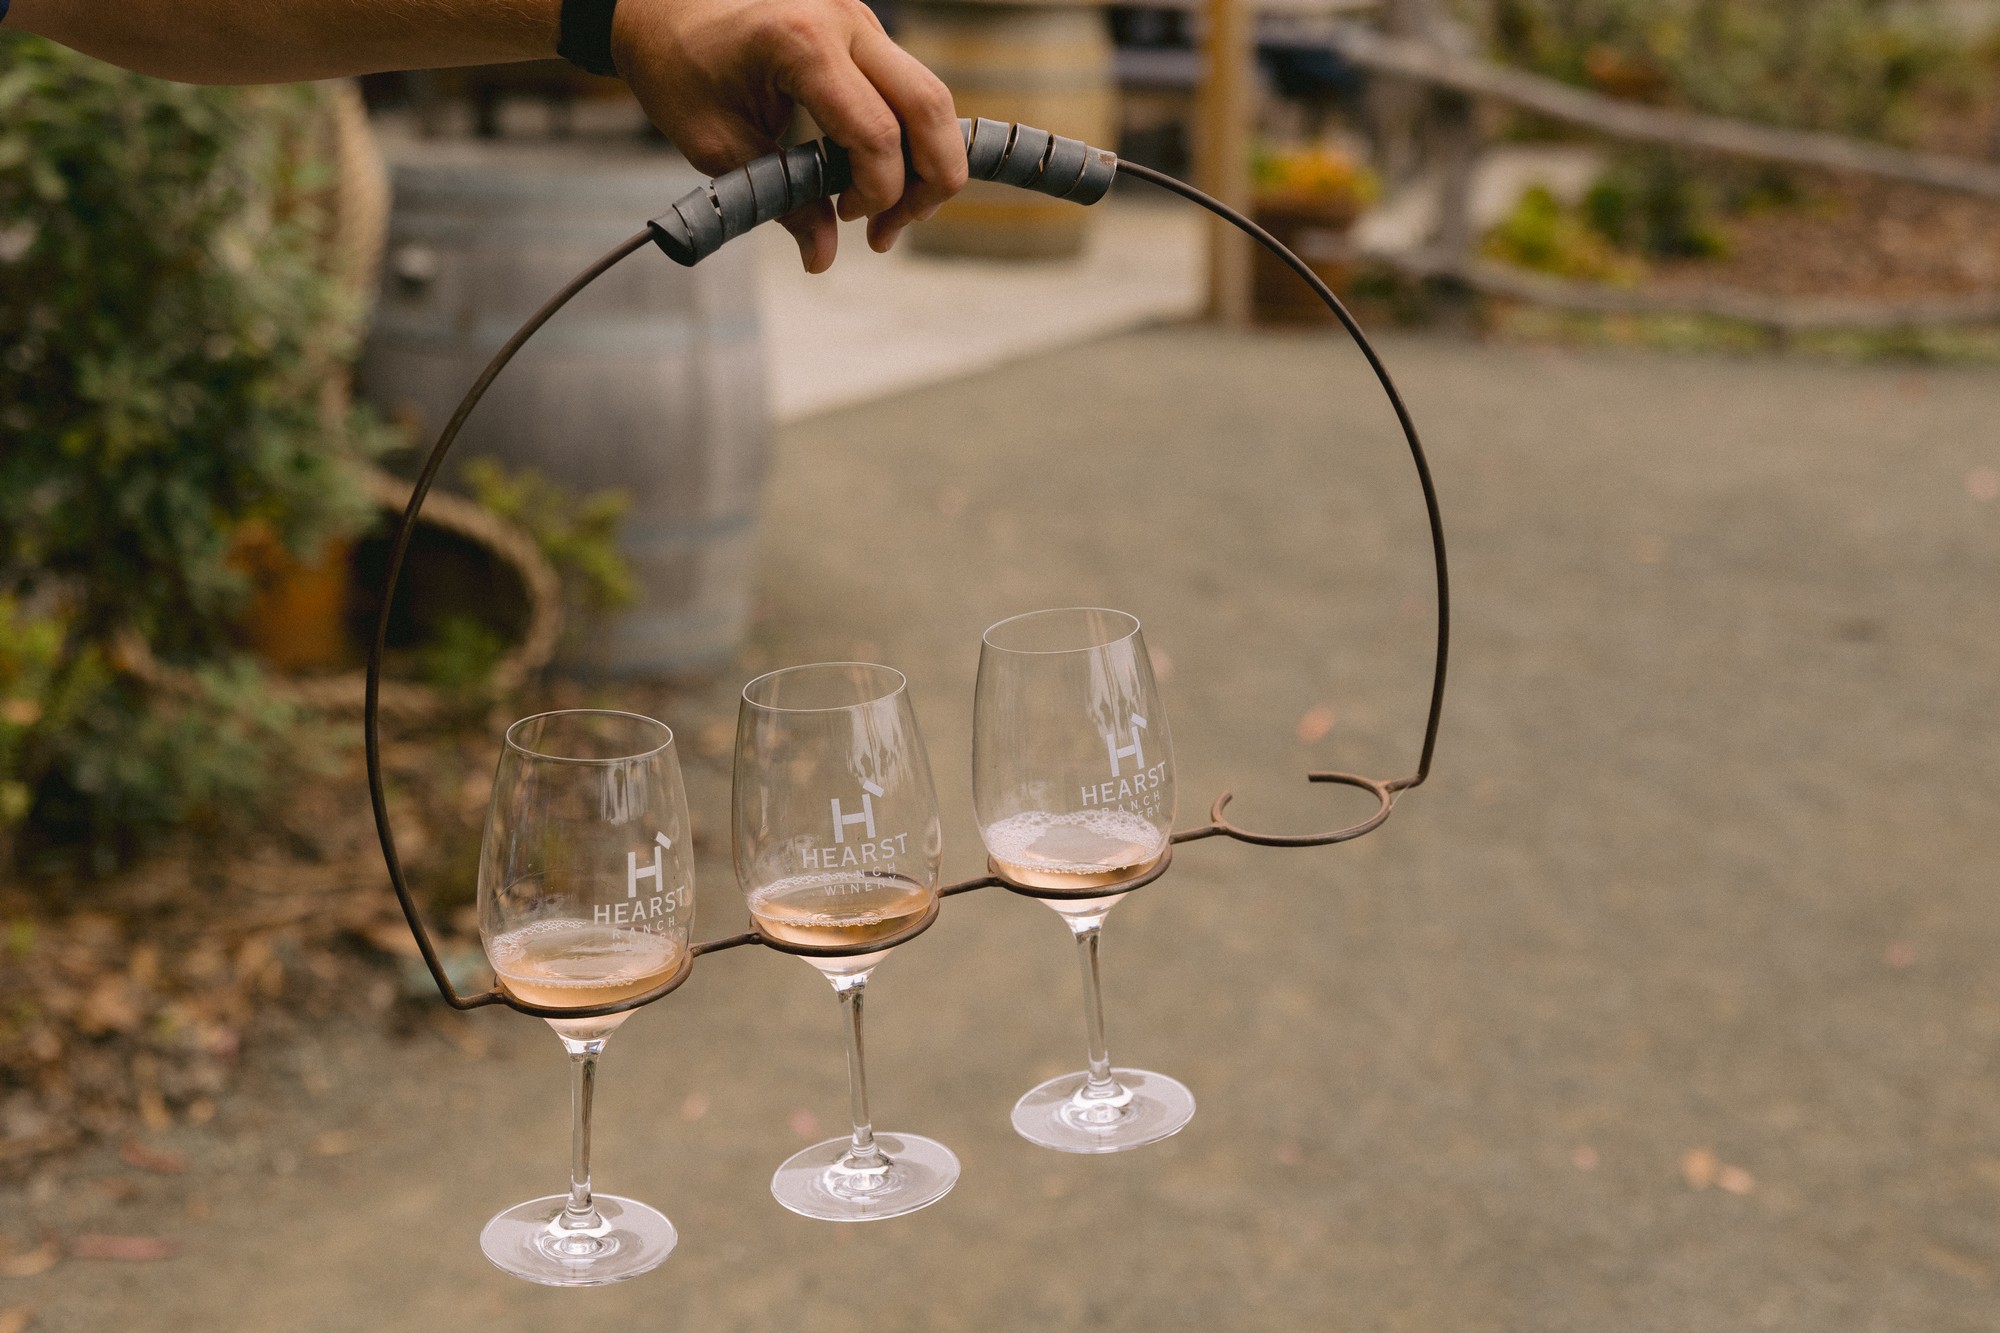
column 651, row 381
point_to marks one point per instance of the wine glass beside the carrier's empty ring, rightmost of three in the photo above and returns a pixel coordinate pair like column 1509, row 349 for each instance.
column 1073, row 786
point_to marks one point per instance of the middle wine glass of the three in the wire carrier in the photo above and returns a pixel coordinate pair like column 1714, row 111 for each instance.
column 837, row 848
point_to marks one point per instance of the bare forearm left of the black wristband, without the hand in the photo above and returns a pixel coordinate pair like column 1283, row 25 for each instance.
column 281, row 41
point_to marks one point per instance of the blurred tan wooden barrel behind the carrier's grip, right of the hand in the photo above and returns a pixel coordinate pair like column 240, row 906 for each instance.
column 1043, row 65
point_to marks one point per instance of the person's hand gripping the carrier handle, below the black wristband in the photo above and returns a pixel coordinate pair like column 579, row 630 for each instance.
column 721, row 79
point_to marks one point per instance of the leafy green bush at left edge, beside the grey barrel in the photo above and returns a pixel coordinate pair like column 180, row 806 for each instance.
column 175, row 367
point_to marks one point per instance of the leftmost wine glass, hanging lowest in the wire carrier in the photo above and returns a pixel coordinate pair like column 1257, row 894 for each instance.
column 587, row 894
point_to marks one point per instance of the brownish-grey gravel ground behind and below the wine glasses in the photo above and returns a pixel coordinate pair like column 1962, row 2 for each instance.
column 1671, row 1004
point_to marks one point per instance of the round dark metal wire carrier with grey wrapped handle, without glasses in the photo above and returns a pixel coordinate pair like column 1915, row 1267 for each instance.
column 699, row 225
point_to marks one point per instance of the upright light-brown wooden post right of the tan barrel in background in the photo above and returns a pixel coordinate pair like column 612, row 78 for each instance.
column 1227, row 113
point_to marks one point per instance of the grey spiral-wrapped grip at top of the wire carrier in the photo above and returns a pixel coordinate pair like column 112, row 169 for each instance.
column 711, row 215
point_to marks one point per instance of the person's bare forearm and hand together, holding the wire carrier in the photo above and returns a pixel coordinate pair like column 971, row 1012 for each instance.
column 719, row 77
